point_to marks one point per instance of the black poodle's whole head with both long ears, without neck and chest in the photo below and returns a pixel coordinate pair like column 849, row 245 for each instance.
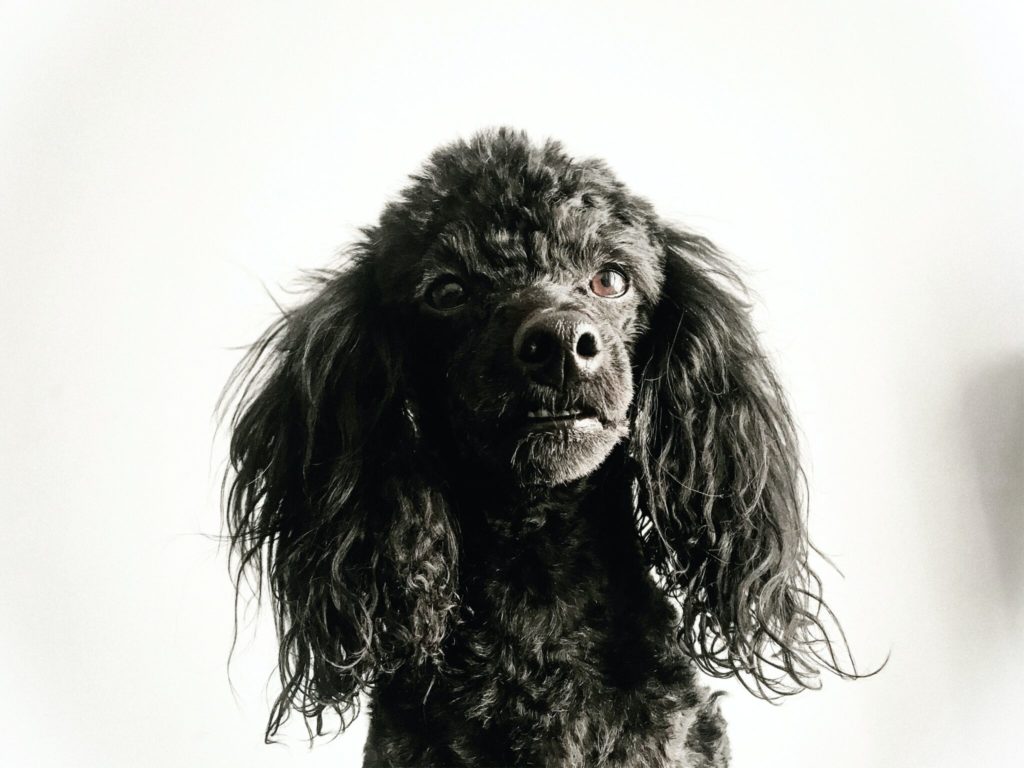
column 516, row 316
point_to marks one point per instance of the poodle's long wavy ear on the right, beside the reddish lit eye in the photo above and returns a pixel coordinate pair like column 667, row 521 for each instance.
column 720, row 489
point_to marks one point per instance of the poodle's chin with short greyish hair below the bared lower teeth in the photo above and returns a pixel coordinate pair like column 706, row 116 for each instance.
column 560, row 455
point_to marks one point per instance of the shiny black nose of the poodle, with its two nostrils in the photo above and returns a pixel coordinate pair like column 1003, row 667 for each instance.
column 560, row 347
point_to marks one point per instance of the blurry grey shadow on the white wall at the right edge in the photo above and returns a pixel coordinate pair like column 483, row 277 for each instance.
column 995, row 412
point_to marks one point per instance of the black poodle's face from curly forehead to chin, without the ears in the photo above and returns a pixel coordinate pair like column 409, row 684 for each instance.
column 527, row 303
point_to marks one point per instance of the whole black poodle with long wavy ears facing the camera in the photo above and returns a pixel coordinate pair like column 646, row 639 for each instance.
column 518, row 471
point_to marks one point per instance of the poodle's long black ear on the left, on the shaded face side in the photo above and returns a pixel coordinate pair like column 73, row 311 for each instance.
column 326, row 500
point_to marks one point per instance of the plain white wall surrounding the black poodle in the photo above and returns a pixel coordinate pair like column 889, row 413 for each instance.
column 160, row 163
